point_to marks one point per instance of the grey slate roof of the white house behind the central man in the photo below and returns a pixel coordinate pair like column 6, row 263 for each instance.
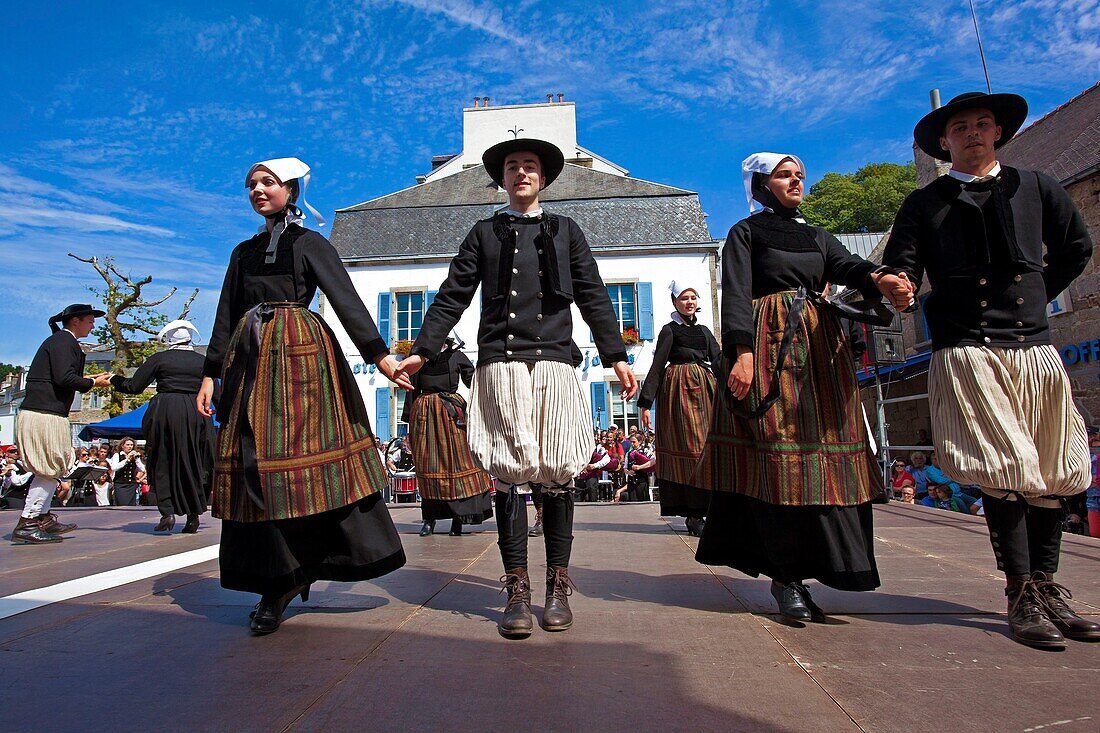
column 432, row 218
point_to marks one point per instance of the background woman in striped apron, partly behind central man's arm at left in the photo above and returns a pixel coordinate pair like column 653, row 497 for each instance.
column 452, row 485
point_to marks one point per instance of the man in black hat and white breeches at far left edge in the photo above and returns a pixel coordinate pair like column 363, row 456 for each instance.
column 42, row 426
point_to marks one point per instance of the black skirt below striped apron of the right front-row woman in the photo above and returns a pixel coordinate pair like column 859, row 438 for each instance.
column 831, row 544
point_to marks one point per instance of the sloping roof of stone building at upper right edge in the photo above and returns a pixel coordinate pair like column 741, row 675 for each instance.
column 1065, row 144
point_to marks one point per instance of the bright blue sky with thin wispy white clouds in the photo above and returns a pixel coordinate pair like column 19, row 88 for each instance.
column 129, row 126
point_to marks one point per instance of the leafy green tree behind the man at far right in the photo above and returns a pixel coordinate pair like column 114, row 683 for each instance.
column 864, row 201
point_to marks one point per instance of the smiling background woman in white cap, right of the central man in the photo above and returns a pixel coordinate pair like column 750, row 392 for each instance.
column 685, row 395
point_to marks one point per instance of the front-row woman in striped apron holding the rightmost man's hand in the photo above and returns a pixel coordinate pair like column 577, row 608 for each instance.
column 793, row 484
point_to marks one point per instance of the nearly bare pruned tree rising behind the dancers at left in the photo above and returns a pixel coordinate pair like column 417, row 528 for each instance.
column 130, row 322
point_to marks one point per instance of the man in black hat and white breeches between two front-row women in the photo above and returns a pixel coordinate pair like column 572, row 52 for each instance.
column 529, row 423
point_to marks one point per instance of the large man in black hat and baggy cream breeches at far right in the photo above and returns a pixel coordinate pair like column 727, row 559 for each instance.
column 1003, row 414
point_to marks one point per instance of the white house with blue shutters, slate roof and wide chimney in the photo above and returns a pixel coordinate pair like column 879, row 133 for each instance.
column 398, row 249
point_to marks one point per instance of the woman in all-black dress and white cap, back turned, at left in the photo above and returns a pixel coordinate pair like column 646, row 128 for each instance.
column 180, row 443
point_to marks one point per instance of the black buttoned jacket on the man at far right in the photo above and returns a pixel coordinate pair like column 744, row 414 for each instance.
column 991, row 288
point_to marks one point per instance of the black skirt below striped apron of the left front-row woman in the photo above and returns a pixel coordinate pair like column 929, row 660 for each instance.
column 357, row 542
